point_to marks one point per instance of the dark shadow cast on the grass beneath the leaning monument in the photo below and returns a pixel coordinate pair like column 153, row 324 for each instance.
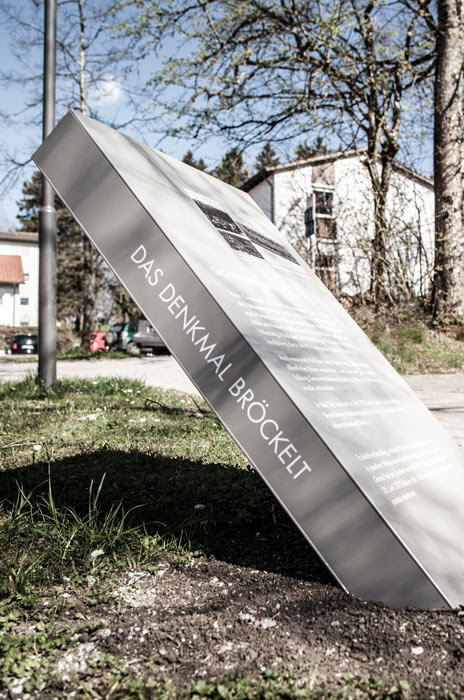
column 217, row 510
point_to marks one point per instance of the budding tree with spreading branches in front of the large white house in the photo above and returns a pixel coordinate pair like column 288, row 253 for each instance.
column 263, row 70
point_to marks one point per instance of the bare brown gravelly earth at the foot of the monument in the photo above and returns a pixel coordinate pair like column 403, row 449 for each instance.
column 211, row 619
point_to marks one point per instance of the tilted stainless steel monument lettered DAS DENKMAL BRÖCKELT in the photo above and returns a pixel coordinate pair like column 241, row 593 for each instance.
column 366, row 472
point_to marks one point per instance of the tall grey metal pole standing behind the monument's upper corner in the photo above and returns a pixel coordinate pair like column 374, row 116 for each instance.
column 47, row 217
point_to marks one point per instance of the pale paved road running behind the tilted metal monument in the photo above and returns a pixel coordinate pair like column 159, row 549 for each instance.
column 442, row 393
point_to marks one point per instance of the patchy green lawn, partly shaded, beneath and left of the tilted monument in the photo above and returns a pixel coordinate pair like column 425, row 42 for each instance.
column 101, row 481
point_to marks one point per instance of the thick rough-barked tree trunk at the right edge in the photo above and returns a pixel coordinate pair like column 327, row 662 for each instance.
column 448, row 281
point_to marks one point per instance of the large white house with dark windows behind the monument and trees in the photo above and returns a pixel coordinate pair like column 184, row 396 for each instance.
column 336, row 241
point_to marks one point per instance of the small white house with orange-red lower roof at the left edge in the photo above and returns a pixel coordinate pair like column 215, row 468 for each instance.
column 19, row 278
